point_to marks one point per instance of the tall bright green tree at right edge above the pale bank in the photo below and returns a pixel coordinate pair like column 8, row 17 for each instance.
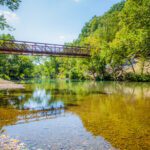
column 132, row 40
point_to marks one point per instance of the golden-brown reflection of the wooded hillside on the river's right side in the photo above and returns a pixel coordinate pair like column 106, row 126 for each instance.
column 121, row 120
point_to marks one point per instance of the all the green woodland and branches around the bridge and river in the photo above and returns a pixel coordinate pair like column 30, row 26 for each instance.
column 119, row 41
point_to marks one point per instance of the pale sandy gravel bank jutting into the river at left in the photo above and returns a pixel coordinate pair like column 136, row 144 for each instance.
column 9, row 85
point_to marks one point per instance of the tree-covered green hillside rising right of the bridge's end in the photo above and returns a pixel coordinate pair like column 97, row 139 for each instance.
column 118, row 38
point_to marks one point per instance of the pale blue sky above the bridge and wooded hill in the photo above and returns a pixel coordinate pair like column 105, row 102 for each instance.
column 53, row 21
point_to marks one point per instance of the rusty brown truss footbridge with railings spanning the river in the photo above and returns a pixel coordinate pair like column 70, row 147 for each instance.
column 34, row 48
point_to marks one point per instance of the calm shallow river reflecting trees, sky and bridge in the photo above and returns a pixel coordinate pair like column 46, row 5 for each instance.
column 78, row 115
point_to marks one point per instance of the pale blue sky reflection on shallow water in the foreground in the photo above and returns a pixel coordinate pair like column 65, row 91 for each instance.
column 64, row 132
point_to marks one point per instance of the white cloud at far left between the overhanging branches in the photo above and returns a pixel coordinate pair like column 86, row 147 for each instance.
column 11, row 17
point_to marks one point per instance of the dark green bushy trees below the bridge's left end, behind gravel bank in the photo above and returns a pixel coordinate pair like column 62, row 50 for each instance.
column 15, row 67
